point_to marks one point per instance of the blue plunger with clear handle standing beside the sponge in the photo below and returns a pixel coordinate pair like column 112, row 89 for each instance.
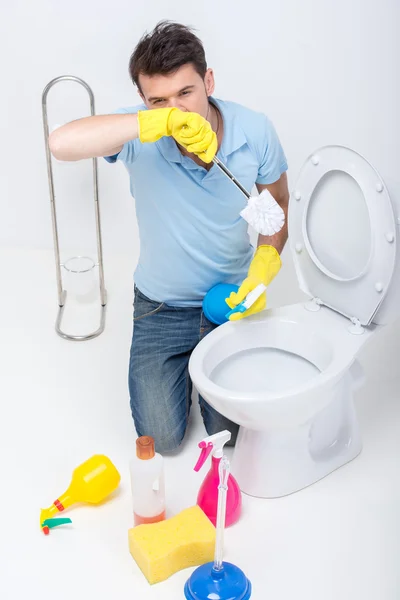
column 219, row 580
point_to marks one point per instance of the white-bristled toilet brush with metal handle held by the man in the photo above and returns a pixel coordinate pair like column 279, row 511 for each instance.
column 262, row 212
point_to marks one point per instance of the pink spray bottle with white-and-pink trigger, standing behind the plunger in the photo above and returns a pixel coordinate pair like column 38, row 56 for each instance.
column 207, row 497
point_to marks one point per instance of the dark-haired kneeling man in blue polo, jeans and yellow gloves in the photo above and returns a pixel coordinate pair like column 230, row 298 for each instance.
column 191, row 234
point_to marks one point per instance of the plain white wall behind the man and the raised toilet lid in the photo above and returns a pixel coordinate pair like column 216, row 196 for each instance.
column 325, row 73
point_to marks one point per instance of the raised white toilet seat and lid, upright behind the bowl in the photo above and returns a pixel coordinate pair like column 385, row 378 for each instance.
column 342, row 231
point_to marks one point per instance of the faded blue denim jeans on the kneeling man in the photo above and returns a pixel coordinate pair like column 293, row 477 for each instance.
column 159, row 384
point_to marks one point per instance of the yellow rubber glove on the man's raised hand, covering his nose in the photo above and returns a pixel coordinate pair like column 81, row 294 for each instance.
column 189, row 129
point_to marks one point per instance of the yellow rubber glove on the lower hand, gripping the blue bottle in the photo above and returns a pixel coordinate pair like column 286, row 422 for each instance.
column 265, row 265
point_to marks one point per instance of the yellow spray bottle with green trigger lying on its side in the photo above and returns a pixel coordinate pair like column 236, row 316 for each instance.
column 91, row 482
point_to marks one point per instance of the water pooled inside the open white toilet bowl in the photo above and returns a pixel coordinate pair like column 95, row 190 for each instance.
column 263, row 369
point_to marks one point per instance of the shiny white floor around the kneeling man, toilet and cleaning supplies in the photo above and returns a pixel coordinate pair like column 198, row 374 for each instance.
column 61, row 402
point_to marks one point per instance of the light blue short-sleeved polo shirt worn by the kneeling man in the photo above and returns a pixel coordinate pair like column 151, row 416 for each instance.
column 191, row 234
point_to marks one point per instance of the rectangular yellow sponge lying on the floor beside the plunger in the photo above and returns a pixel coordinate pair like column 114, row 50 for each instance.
column 161, row 549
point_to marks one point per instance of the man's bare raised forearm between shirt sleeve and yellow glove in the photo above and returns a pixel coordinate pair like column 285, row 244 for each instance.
column 99, row 135
